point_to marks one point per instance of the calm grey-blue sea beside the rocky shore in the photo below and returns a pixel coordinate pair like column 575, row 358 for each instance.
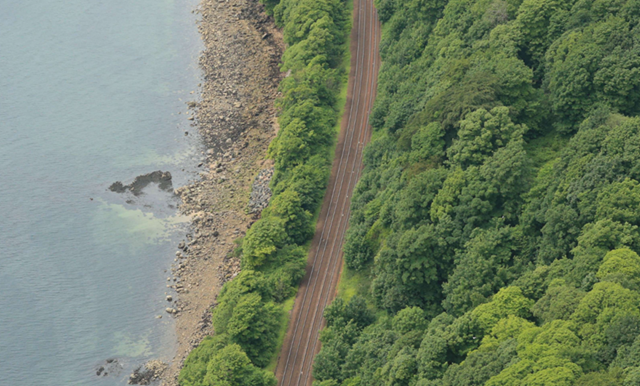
column 90, row 93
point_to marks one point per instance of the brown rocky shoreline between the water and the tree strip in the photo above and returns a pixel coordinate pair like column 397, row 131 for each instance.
column 236, row 120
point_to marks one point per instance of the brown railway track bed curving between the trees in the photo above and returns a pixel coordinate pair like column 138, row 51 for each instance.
column 325, row 257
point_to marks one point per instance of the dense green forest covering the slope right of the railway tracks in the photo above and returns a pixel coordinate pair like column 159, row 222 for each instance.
column 494, row 232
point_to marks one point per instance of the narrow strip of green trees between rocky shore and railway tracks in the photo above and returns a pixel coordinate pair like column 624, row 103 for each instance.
column 250, row 314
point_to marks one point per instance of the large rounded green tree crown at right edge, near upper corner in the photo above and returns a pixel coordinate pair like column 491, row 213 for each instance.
column 590, row 64
